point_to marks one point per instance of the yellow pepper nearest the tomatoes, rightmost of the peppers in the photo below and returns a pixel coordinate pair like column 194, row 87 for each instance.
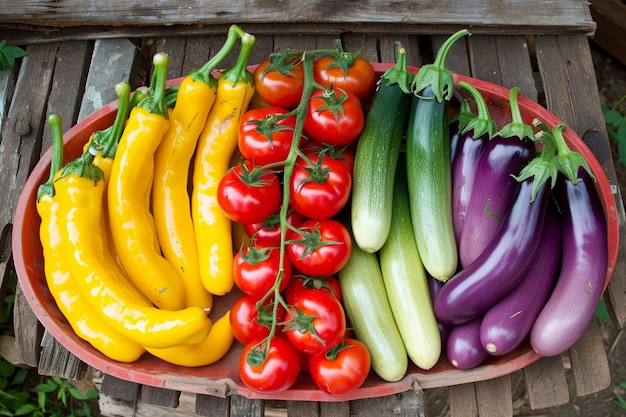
column 216, row 145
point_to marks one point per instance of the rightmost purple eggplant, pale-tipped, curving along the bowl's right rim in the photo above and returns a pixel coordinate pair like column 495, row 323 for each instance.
column 580, row 284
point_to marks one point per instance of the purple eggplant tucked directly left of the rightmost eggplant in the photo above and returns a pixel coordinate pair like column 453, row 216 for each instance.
column 507, row 324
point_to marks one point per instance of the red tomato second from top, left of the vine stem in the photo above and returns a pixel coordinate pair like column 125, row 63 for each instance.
column 264, row 137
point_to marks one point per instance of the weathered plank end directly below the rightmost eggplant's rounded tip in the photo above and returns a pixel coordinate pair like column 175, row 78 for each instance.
column 546, row 384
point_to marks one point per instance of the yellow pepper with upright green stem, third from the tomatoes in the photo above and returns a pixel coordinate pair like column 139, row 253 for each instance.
column 129, row 192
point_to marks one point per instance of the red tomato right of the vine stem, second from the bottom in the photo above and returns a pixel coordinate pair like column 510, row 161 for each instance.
column 315, row 323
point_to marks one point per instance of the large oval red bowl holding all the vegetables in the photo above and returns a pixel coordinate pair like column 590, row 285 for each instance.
column 222, row 378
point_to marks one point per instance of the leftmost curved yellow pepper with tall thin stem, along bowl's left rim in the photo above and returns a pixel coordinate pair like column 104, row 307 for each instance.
column 82, row 317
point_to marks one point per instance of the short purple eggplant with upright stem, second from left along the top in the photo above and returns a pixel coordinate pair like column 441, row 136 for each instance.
column 494, row 188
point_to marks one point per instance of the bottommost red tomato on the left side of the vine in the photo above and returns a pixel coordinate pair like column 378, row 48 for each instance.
column 274, row 372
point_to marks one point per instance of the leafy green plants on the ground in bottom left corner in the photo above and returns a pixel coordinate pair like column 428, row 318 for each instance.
column 23, row 392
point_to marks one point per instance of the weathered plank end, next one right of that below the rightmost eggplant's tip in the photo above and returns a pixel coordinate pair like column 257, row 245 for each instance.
column 590, row 365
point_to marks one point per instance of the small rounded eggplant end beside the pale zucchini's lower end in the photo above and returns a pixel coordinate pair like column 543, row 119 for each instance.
column 463, row 349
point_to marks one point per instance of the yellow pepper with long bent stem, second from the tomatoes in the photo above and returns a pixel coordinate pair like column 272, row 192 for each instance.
column 170, row 194
